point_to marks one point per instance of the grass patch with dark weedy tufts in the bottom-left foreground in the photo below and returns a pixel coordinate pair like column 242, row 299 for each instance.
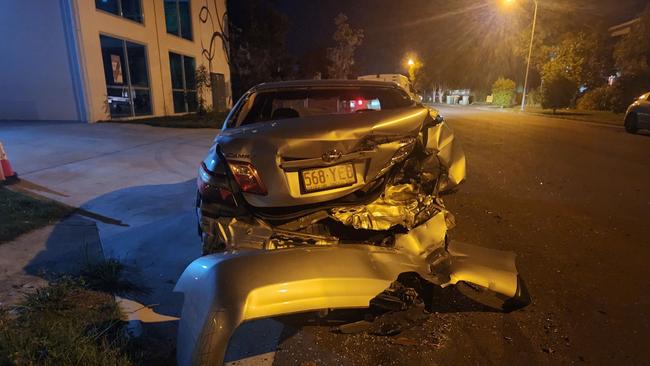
column 72, row 322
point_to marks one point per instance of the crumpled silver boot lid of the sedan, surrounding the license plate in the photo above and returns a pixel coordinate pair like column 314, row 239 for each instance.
column 265, row 145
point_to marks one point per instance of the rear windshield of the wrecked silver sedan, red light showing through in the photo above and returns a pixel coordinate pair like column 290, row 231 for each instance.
column 296, row 103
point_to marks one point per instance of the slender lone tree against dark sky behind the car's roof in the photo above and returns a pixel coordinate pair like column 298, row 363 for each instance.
column 341, row 57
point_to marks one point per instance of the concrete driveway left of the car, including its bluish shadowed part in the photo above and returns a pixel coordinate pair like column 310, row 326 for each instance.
column 136, row 182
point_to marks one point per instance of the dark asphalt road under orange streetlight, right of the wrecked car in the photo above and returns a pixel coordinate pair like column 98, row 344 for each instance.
column 572, row 199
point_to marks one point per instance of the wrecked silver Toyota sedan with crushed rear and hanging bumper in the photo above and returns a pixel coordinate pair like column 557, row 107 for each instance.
column 318, row 195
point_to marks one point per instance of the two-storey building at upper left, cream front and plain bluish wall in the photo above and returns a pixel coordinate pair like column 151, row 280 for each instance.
column 92, row 60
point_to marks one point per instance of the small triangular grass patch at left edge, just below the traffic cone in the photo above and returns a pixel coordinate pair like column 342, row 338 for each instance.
column 21, row 213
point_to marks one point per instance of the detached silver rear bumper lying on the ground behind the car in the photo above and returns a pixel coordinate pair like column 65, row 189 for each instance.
column 223, row 290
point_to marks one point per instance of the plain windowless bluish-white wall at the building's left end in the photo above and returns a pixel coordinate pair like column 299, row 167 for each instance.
column 36, row 81
